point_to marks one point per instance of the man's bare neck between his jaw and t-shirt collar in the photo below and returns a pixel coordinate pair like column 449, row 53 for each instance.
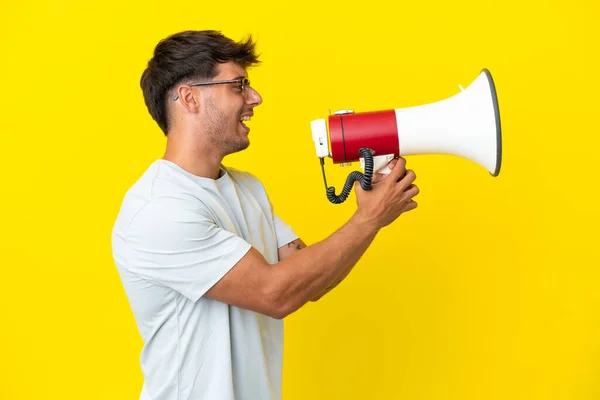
column 196, row 158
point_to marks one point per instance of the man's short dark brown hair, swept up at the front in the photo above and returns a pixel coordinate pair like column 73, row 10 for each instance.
column 188, row 55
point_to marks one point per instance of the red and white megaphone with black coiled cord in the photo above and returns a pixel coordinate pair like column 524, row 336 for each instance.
column 465, row 125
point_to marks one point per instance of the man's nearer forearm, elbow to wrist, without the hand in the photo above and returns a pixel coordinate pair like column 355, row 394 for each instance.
column 306, row 274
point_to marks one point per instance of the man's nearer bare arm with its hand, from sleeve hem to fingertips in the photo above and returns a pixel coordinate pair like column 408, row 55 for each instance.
column 278, row 290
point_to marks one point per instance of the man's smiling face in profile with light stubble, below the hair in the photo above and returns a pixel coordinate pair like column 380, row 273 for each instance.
column 226, row 108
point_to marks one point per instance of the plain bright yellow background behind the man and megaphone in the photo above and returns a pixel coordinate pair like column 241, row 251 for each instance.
column 489, row 290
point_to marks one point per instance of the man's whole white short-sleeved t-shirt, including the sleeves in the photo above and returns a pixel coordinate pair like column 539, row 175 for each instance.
column 175, row 236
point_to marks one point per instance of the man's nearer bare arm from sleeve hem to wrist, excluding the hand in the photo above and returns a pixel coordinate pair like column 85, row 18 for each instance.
column 278, row 290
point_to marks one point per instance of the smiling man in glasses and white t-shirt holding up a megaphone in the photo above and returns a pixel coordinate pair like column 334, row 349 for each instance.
column 210, row 270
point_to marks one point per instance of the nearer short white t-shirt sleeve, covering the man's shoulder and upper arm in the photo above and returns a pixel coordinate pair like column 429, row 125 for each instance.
column 177, row 244
